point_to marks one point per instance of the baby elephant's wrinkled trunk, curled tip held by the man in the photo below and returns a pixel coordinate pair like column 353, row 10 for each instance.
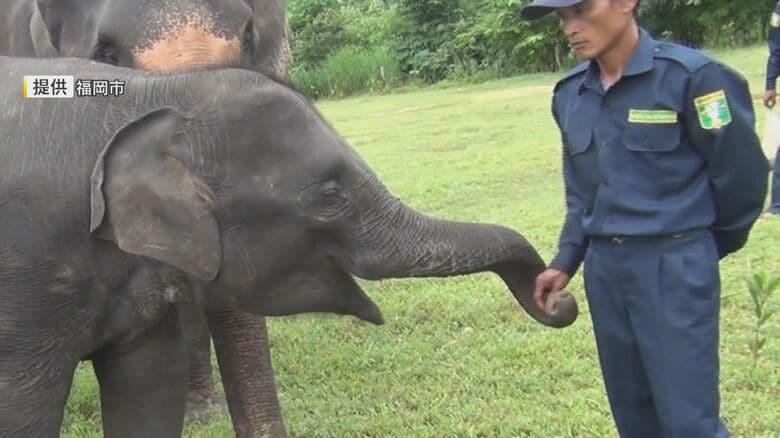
column 401, row 242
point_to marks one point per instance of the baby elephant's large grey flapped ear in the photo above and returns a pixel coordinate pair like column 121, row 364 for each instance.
column 147, row 201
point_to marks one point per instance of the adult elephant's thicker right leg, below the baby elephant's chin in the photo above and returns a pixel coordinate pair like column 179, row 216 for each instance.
column 241, row 344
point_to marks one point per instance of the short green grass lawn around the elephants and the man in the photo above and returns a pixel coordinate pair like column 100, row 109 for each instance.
column 457, row 357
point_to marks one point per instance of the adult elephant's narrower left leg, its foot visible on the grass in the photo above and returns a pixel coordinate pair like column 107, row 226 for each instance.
column 202, row 396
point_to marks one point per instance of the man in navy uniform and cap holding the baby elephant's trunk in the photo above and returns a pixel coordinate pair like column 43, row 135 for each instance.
column 664, row 176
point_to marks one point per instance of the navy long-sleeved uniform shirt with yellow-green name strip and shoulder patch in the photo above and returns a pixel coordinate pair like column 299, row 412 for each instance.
column 670, row 147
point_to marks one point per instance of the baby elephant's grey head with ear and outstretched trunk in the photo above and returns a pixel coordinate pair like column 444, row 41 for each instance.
column 256, row 186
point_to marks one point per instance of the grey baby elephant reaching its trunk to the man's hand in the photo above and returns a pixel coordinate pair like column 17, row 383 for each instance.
column 217, row 187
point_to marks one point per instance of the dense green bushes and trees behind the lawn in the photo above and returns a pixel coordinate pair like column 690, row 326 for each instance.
column 341, row 47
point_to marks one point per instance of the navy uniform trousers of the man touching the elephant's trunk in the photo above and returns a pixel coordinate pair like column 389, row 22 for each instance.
column 655, row 303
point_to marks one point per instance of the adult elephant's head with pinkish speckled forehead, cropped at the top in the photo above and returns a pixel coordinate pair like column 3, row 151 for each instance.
column 163, row 35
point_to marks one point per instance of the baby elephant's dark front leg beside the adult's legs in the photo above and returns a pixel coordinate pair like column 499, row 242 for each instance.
column 143, row 383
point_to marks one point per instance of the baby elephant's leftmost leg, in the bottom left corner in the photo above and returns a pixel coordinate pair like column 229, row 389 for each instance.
column 32, row 404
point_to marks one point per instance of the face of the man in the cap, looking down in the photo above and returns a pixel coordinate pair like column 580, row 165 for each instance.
column 593, row 26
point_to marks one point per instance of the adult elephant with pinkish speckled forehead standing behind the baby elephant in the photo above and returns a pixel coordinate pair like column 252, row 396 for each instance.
column 159, row 35
